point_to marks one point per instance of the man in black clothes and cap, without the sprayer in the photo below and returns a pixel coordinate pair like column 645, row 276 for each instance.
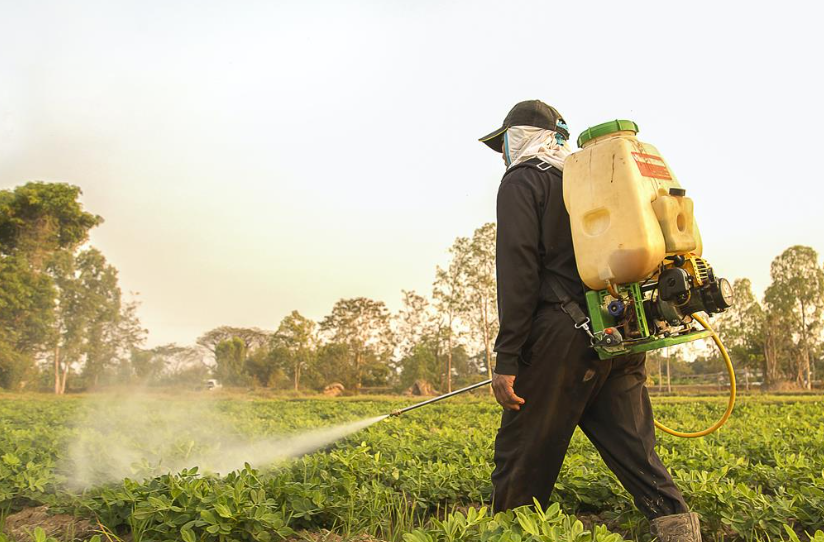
column 548, row 378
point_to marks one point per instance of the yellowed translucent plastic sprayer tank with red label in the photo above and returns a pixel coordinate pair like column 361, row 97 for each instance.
column 626, row 207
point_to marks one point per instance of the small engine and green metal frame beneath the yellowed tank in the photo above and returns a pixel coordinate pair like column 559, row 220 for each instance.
column 657, row 313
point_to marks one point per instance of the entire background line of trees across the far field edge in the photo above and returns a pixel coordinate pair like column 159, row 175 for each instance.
column 64, row 322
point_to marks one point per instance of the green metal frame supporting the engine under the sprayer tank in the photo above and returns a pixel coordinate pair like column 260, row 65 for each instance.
column 600, row 319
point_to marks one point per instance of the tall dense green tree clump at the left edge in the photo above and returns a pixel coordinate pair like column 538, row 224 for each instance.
column 62, row 313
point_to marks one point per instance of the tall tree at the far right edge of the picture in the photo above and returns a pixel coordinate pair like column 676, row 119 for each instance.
column 795, row 300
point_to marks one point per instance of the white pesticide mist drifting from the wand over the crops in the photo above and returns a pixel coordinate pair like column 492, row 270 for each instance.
column 140, row 436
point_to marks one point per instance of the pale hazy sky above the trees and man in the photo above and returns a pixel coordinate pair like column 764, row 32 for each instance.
column 251, row 158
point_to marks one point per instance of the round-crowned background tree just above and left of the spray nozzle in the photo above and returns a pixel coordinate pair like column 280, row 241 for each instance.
column 363, row 326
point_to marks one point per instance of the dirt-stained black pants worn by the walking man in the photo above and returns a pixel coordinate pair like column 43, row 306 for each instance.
column 565, row 385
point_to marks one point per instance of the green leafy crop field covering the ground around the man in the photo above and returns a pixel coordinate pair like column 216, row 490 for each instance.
column 172, row 468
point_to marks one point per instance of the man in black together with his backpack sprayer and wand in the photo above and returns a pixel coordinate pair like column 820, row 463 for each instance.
column 598, row 260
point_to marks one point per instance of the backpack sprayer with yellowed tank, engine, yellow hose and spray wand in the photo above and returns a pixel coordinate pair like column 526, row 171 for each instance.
column 638, row 251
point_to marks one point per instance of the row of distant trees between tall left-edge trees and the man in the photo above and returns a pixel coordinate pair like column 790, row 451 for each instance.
column 442, row 339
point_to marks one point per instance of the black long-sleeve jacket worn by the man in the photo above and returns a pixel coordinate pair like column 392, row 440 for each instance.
column 534, row 240
